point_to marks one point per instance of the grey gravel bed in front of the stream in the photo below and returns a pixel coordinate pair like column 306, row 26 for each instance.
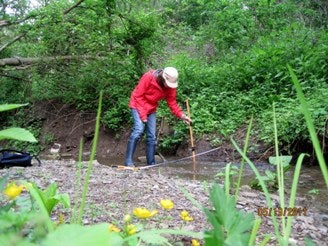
column 114, row 193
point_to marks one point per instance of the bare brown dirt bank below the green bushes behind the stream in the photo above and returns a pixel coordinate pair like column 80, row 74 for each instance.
column 64, row 125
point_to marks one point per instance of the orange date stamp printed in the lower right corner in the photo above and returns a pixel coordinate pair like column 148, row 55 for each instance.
column 294, row 211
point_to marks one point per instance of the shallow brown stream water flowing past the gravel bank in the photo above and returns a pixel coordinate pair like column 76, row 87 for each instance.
column 311, row 184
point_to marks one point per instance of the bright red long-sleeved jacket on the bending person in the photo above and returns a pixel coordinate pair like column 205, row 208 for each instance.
column 148, row 93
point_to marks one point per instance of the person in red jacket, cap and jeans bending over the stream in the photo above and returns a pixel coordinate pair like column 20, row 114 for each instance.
column 154, row 85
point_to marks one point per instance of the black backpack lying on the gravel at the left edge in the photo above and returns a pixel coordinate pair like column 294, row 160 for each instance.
column 12, row 157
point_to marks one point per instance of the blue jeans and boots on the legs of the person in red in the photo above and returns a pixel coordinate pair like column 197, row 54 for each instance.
column 137, row 131
